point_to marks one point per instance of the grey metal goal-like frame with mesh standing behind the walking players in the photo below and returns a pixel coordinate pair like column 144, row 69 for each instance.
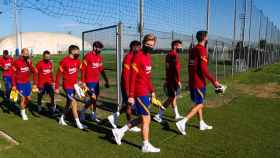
column 111, row 37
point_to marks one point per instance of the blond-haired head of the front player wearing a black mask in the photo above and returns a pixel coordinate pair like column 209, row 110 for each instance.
column 149, row 42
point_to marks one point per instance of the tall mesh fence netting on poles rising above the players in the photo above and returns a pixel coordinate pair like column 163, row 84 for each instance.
column 241, row 36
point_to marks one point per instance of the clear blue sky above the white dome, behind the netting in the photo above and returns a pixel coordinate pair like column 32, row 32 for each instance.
column 158, row 15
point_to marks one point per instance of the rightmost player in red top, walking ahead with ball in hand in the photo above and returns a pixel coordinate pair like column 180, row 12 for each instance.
column 198, row 73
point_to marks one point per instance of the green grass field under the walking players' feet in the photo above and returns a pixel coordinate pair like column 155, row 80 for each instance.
column 245, row 124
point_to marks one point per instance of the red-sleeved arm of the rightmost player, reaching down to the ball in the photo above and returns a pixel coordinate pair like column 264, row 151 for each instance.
column 204, row 68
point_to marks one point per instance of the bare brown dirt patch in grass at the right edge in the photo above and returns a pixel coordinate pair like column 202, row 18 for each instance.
column 269, row 90
